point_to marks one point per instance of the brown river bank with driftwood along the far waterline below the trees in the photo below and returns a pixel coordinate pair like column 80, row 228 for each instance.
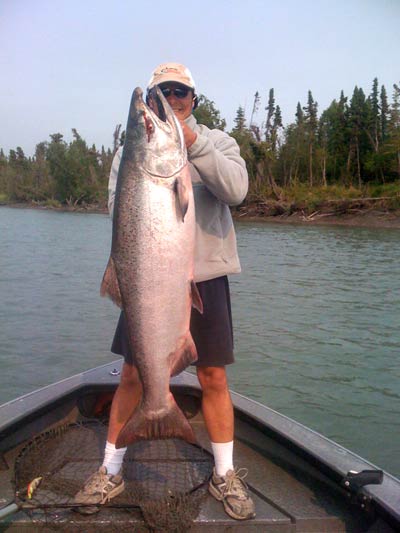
column 345, row 214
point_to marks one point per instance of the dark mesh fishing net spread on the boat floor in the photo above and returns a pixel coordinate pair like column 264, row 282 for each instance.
column 165, row 482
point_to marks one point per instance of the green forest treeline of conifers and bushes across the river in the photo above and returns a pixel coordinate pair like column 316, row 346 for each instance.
column 353, row 145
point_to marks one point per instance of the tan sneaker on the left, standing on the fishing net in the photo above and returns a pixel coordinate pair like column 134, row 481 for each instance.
column 99, row 489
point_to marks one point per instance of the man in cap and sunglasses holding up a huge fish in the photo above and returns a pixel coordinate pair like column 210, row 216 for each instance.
column 219, row 179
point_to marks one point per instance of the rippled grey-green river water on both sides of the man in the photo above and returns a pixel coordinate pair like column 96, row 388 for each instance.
column 316, row 313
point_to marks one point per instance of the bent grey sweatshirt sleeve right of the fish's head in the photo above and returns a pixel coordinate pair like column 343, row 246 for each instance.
column 217, row 159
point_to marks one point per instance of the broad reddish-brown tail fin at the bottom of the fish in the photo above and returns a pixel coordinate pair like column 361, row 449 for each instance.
column 143, row 425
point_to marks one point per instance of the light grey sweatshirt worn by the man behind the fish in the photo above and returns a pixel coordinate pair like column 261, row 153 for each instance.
column 219, row 179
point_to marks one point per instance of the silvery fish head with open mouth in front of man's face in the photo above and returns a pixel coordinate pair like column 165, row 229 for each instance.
column 154, row 137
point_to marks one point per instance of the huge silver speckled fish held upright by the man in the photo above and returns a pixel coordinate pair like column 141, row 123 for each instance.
column 150, row 270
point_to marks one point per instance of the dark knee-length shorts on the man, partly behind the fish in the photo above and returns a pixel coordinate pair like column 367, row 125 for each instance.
column 212, row 331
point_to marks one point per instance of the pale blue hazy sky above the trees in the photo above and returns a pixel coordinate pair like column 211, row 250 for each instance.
column 73, row 63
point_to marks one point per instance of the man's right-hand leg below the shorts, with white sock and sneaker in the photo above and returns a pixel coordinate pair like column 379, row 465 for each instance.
column 226, row 484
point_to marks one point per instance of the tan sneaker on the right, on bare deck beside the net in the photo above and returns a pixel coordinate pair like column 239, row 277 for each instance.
column 232, row 490
